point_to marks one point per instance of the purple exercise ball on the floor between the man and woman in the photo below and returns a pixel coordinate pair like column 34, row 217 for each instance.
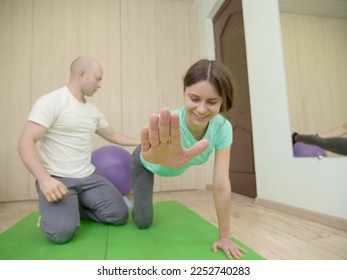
column 113, row 163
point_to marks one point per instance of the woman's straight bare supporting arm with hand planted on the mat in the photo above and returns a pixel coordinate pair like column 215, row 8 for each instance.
column 222, row 200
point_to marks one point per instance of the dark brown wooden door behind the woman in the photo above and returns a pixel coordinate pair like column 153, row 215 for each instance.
column 231, row 50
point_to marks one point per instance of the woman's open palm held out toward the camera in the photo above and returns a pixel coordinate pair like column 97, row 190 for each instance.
column 161, row 141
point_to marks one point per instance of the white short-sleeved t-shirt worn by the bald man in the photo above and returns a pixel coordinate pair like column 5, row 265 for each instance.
column 66, row 148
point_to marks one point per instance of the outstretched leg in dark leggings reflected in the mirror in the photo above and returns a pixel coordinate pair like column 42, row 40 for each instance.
column 337, row 145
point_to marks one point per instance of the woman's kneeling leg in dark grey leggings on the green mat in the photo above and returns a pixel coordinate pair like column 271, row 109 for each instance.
column 142, row 186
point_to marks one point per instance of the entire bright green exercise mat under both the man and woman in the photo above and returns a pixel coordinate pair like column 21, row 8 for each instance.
column 177, row 233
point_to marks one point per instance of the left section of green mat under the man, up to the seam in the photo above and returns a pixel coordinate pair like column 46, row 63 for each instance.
column 25, row 241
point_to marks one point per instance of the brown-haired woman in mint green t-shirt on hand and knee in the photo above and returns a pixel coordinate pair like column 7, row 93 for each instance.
column 176, row 140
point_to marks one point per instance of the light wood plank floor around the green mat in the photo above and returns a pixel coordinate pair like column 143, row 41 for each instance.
column 273, row 234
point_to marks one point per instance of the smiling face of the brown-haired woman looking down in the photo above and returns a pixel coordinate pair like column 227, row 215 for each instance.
column 202, row 103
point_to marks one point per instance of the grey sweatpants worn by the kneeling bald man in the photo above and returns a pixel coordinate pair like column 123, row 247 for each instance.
column 93, row 198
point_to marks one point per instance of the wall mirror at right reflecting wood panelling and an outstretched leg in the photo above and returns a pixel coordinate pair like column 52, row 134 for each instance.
column 314, row 35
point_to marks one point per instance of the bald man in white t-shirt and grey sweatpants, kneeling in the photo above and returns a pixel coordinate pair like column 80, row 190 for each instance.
column 56, row 148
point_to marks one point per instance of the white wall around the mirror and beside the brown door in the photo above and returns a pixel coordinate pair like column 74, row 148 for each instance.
column 307, row 183
